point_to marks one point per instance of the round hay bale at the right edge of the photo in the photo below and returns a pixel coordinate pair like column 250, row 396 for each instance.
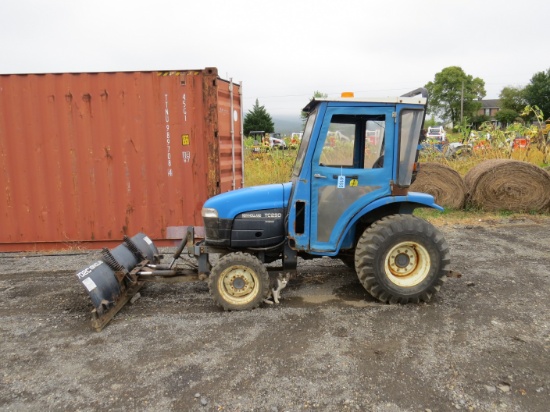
column 504, row 184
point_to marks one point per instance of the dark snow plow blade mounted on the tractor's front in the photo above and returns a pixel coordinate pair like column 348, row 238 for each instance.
column 113, row 280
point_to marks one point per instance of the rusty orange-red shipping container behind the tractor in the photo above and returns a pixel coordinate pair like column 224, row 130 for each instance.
column 86, row 158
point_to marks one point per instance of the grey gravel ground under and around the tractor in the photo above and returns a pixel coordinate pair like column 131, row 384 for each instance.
column 482, row 344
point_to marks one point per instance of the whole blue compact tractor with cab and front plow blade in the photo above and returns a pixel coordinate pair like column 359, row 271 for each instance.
column 348, row 199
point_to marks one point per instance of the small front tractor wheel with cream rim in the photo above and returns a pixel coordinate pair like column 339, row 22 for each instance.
column 239, row 281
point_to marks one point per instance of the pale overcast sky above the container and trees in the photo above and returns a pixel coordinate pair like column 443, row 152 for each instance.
column 284, row 50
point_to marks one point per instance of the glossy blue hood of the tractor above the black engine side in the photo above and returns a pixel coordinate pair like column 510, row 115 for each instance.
column 230, row 204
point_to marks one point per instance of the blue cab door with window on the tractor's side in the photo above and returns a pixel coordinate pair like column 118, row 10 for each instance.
column 352, row 166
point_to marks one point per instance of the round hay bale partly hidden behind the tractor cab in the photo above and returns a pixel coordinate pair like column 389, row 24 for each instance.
column 443, row 183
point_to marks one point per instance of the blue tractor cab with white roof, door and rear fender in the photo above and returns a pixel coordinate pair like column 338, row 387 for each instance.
column 355, row 156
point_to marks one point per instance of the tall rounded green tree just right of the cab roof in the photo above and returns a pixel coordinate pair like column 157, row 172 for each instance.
column 446, row 97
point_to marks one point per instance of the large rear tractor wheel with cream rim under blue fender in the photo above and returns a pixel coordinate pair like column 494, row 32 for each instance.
column 402, row 259
